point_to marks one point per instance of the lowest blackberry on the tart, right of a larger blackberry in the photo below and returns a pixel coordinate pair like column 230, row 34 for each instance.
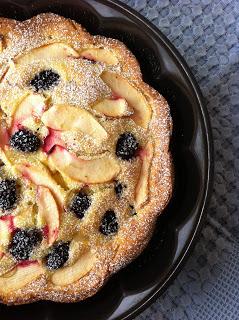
column 58, row 256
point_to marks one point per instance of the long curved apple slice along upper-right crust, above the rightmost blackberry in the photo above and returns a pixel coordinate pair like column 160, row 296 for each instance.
column 136, row 100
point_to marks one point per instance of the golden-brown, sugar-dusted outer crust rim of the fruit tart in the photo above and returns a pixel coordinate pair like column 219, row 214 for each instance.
column 126, row 245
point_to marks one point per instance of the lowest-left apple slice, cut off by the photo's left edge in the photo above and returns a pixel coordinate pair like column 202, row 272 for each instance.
column 21, row 276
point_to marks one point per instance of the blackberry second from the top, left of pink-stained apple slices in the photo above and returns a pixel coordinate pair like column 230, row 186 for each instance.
column 25, row 141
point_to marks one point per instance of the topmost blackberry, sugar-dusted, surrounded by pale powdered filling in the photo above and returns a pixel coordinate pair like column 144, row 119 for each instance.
column 45, row 80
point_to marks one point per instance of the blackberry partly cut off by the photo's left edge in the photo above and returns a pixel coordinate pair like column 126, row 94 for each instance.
column 8, row 194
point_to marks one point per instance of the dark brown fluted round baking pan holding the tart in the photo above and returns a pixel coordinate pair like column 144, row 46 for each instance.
column 134, row 288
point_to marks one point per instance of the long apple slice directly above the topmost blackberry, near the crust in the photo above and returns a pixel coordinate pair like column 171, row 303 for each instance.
column 57, row 50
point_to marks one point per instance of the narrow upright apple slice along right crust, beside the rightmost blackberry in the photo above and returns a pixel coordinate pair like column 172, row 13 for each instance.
column 142, row 188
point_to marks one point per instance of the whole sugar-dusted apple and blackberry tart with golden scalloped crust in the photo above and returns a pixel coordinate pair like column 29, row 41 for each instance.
column 85, row 164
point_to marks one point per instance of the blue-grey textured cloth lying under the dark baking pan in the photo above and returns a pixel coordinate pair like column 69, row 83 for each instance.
column 206, row 32
